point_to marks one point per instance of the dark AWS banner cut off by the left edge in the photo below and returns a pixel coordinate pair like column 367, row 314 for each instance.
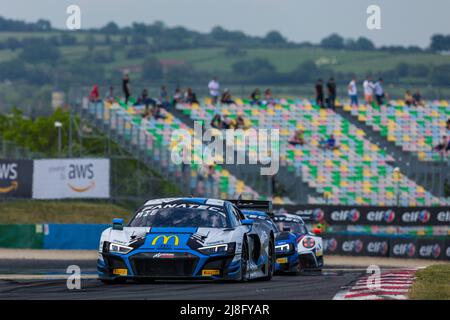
column 16, row 178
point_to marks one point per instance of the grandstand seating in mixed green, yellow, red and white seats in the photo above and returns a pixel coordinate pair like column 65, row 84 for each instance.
column 360, row 172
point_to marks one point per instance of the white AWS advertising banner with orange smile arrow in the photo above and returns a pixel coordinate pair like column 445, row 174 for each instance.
column 71, row 178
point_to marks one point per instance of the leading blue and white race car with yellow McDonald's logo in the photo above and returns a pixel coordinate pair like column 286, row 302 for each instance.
column 187, row 238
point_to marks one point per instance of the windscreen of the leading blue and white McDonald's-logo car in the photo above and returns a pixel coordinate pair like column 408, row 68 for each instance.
column 201, row 217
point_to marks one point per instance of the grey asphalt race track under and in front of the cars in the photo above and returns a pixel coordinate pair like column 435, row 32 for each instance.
column 44, row 279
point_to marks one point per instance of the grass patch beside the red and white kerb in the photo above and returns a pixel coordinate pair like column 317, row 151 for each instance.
column 432, row 283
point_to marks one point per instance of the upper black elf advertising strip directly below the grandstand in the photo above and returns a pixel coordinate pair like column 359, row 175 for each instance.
column 359, row 215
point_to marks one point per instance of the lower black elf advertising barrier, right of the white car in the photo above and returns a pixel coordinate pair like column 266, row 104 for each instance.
column 437, row 248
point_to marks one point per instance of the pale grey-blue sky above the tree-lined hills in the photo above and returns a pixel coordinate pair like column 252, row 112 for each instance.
column 403, row 22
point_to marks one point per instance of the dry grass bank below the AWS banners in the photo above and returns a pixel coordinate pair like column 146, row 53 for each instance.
column 60, row 212
